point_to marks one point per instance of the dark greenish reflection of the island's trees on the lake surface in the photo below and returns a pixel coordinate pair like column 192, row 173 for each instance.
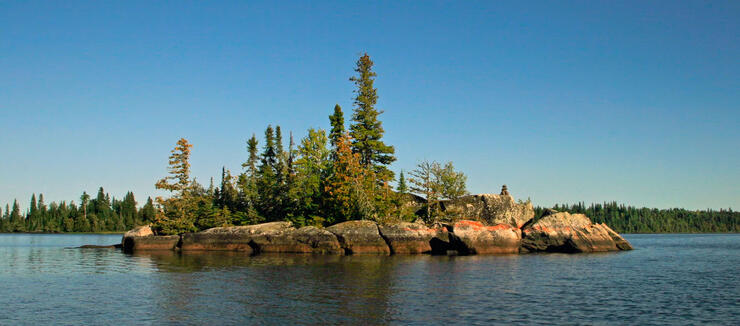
column 270, row 288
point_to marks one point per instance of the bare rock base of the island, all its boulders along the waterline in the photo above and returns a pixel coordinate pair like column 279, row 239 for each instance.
column 493, row 224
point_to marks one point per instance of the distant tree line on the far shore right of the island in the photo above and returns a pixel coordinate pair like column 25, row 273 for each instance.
column 630, row 219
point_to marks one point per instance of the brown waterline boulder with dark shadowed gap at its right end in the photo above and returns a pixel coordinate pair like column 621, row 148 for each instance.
column 415, row 238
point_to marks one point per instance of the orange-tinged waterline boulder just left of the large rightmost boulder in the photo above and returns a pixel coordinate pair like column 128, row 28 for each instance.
column 473, row 237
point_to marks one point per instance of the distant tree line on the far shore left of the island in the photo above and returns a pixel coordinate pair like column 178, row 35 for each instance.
column 100, row 214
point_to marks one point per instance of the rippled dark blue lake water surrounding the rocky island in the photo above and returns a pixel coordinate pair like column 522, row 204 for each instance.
column 668, row 280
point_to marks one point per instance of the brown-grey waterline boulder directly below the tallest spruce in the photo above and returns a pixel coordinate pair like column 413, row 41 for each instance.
column 360, row 237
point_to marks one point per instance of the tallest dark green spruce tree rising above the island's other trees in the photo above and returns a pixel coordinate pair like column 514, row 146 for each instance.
column 366, row 130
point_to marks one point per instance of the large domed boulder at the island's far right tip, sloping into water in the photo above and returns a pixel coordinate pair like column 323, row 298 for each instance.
column 565, row 232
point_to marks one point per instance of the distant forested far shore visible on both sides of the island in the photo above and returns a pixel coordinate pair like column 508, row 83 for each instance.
column 108, row 214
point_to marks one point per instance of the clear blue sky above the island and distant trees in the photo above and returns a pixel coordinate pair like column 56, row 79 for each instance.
column 637, row 102
